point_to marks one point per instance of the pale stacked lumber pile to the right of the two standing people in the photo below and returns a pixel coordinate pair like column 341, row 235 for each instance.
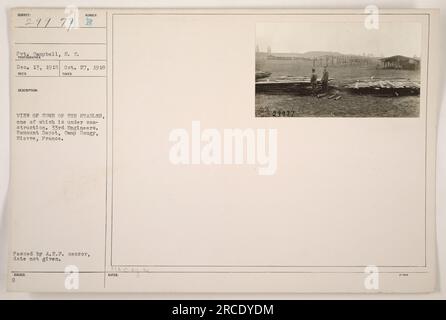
column 390, row 87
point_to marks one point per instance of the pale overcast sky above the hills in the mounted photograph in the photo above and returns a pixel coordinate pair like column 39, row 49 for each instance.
column 348, row 38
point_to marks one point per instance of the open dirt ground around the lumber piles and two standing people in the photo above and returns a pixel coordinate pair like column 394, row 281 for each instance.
column 349, row 105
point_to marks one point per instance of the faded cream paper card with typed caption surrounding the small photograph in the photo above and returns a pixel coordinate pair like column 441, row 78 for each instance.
column 96, row 198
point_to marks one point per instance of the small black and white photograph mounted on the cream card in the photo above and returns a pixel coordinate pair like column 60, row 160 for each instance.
column 337, row 69
